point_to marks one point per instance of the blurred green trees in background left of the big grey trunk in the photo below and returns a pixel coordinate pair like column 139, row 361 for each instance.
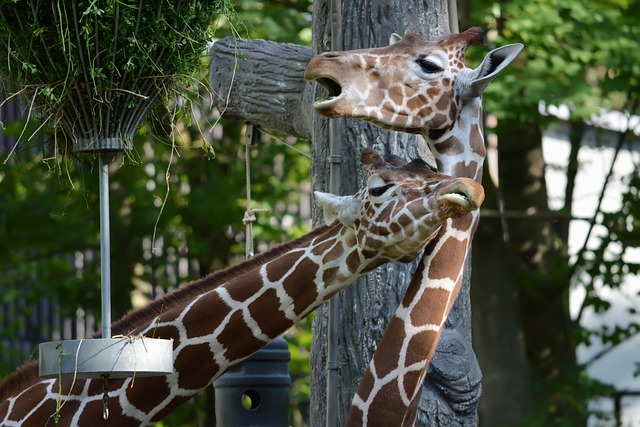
column 177, row 207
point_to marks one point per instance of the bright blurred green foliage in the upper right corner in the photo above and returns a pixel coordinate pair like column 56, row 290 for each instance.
column 570, row 56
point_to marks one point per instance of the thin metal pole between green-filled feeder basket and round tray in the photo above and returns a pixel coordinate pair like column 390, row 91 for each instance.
column 105, row 247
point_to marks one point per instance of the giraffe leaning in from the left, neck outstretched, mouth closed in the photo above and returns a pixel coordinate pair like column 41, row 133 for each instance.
column 220, row 320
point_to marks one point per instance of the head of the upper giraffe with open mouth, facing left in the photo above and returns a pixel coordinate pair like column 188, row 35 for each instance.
column 411, row 85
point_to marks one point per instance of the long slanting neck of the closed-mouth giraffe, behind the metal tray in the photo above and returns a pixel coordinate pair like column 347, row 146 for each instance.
column 220, row 326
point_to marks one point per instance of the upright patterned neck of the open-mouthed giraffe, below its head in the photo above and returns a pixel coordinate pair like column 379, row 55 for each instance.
column 390, row 389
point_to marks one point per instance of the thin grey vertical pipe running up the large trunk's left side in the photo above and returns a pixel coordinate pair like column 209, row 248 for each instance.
column 335, row 167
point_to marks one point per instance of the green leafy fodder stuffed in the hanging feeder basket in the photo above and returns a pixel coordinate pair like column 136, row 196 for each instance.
column 55, row 44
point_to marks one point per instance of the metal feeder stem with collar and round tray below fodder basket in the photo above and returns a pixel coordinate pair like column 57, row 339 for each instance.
column 105, row 357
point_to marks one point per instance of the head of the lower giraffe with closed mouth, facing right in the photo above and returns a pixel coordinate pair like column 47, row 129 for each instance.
column 401, row 208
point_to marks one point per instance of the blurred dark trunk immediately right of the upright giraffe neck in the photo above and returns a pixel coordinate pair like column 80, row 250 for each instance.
column 497, row 334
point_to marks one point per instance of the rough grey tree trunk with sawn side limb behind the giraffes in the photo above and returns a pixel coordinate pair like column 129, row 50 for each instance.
column 268, row 89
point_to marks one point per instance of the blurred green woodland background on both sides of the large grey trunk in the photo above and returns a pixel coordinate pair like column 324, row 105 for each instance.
column 189, row 200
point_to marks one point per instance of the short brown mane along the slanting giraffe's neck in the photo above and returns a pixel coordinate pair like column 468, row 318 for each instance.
column 28, row 374
